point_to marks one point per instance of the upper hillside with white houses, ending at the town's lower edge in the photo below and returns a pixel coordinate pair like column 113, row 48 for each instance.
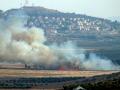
column 66, row 25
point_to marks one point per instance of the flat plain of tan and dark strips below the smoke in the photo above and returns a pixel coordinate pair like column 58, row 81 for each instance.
column 45, row 79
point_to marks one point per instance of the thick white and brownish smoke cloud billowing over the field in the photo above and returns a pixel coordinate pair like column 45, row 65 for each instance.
column 19, row 44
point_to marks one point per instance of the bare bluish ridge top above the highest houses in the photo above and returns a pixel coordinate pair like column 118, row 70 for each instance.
column 45, row 11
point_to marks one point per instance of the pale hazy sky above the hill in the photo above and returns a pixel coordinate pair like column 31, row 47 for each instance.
column 99, row 8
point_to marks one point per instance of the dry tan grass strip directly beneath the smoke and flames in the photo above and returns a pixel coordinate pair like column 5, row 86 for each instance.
column 50, row 73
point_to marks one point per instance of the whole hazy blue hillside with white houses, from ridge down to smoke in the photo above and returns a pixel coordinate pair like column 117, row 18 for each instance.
column 95, row 34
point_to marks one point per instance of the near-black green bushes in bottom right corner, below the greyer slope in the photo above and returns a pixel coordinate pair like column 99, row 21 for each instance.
column 105, row 85
